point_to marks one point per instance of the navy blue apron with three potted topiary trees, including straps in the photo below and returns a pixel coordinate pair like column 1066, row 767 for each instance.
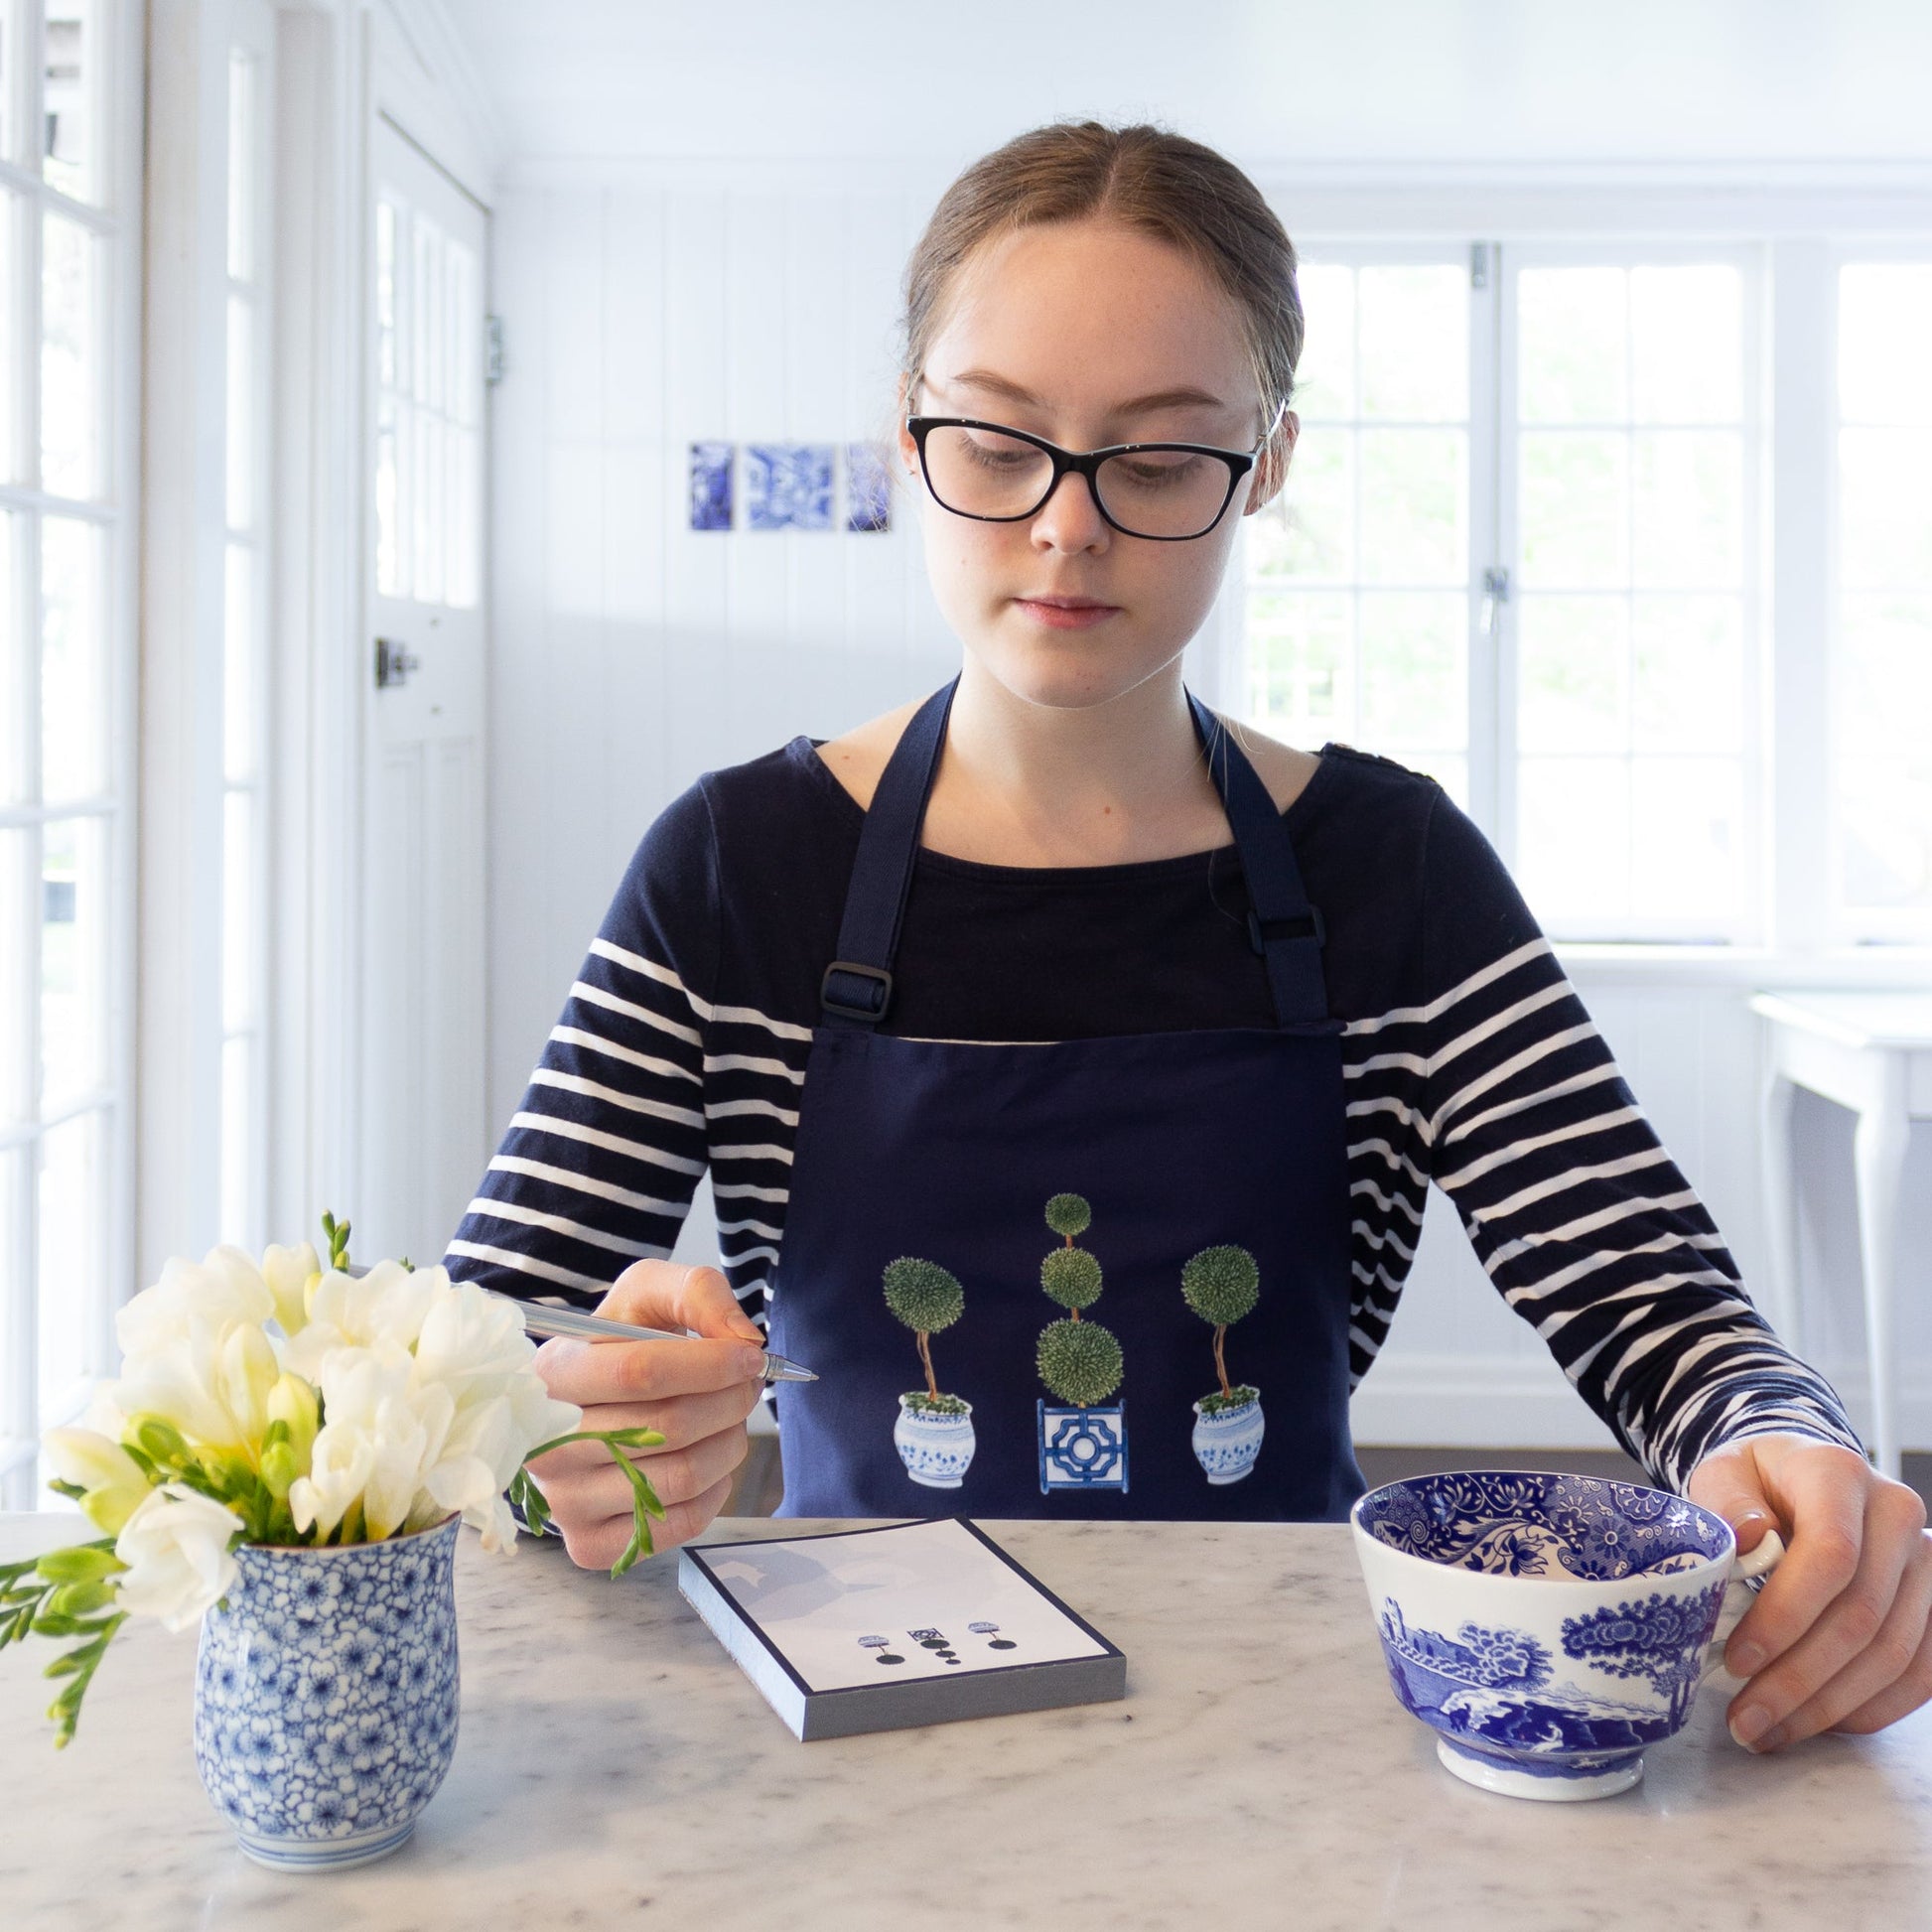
column 953, row 1170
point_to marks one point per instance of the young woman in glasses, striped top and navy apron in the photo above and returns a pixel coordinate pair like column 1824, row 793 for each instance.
column 1017, row 1073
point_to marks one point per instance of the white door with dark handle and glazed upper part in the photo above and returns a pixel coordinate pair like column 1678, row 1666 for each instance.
column 424, row 1129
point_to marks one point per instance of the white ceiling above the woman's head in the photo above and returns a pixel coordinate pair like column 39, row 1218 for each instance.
column 1268, row 80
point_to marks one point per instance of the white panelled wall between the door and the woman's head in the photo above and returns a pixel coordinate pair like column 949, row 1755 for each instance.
column 629, row 652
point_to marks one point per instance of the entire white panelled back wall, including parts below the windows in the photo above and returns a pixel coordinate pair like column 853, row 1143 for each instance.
column 631, row 654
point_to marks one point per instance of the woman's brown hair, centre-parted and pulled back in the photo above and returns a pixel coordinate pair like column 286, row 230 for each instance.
column 1145, row 177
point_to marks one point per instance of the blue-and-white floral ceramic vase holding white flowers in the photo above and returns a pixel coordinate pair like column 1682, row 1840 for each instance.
column 327, row 1697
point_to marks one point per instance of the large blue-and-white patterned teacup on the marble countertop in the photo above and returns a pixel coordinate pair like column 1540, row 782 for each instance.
column 1548, row 1628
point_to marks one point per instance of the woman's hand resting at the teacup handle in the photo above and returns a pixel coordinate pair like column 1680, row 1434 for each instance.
column 1838, row 1637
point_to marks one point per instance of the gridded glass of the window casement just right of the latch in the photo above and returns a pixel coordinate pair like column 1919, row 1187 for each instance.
column 1630, row 629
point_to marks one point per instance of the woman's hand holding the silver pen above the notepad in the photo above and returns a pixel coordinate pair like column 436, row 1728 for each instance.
column 696, row 1394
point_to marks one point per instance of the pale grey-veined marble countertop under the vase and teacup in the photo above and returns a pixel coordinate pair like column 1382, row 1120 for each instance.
column 617, row 1769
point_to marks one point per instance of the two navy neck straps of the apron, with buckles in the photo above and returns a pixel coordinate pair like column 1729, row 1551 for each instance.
column 1282, row 926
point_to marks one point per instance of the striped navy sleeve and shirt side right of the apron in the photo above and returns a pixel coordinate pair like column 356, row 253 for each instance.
column 1504, row 1093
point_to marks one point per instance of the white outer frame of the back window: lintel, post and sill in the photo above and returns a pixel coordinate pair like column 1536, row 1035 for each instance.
column 1804, row 217
